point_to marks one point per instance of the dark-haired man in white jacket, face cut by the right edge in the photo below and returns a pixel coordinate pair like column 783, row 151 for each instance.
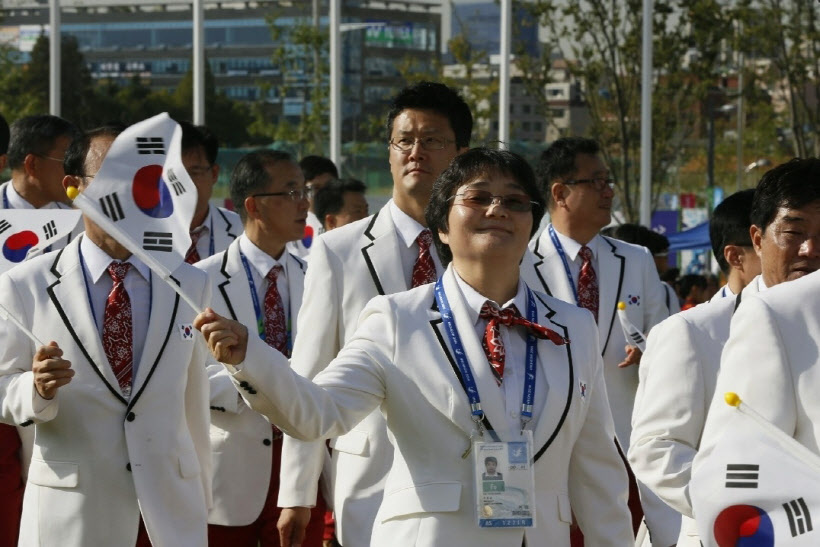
column 680, row 367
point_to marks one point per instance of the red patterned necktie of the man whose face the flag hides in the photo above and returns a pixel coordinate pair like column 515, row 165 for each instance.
column 118, row 335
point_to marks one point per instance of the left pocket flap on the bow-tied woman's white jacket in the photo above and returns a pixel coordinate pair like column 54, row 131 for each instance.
column 432, row 497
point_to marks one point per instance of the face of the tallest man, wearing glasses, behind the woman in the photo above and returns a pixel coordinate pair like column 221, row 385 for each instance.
column 414, row 171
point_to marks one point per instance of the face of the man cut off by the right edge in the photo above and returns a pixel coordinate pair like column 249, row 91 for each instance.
column 790, row 246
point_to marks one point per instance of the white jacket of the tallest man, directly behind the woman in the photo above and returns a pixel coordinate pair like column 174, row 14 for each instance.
column 348, row 267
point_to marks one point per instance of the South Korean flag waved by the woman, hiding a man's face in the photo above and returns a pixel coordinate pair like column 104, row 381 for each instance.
column 142, row 195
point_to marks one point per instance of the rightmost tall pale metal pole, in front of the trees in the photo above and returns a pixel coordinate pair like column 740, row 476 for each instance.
column 646, row 116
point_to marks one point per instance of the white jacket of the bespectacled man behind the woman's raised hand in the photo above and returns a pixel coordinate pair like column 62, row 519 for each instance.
column 241, row 457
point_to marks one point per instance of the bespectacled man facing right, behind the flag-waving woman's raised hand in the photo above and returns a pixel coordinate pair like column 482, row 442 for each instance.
column 269, row 189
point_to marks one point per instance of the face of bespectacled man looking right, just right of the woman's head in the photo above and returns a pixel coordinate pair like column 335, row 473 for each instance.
column 583, row 202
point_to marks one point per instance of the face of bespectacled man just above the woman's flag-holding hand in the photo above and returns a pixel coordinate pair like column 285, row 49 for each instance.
column 281, row 217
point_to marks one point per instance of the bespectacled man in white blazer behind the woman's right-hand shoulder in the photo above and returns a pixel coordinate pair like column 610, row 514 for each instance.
column 579, row 194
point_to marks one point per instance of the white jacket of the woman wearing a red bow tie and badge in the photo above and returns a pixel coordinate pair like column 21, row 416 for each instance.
column 400, row 360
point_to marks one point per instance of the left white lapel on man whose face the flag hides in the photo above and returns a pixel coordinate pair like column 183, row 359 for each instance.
column 70, row 298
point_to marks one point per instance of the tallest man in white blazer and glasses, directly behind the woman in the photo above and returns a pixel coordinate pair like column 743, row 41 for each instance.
column 428, row 124
